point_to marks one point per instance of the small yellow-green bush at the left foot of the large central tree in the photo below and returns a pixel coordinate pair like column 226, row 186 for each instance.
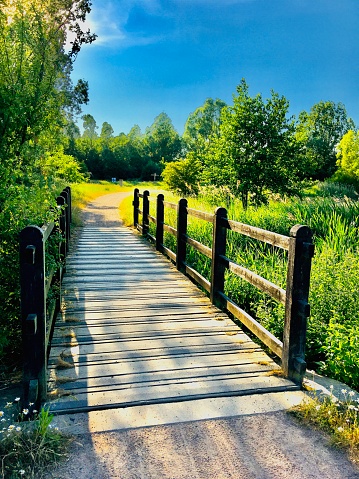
column 182, row 176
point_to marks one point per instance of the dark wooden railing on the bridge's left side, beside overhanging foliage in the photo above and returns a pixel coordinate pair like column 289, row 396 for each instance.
column 40, row 281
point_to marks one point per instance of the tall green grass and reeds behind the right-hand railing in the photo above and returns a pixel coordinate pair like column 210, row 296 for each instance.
column 333, row 328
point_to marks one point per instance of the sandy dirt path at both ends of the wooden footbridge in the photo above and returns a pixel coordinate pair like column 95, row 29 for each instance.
column 250, row 446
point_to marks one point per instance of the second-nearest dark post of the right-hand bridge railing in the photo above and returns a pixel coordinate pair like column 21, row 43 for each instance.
column 218, row 249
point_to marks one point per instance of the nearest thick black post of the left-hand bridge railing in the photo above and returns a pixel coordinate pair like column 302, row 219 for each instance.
column 33, row 313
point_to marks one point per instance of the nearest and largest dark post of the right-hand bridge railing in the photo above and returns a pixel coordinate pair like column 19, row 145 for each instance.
column 297, row 309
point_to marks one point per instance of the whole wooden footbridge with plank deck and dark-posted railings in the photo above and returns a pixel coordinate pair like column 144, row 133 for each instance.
column 133, row 330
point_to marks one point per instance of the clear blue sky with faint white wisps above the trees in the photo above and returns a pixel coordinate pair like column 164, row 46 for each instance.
column 154, row 56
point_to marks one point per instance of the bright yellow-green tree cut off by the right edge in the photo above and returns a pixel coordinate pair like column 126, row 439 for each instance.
column 348, row 158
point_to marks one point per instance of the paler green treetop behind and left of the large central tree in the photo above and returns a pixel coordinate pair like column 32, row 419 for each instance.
column 203, row 123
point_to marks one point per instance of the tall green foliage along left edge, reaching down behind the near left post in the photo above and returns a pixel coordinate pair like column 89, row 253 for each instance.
column 37, row 101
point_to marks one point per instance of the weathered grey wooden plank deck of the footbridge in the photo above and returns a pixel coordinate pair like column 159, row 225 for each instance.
column 135, row 331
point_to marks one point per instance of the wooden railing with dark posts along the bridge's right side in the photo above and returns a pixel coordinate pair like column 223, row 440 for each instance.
column 295, row 297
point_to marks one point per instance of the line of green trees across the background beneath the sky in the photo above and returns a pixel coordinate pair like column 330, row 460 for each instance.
column 251, row 147
